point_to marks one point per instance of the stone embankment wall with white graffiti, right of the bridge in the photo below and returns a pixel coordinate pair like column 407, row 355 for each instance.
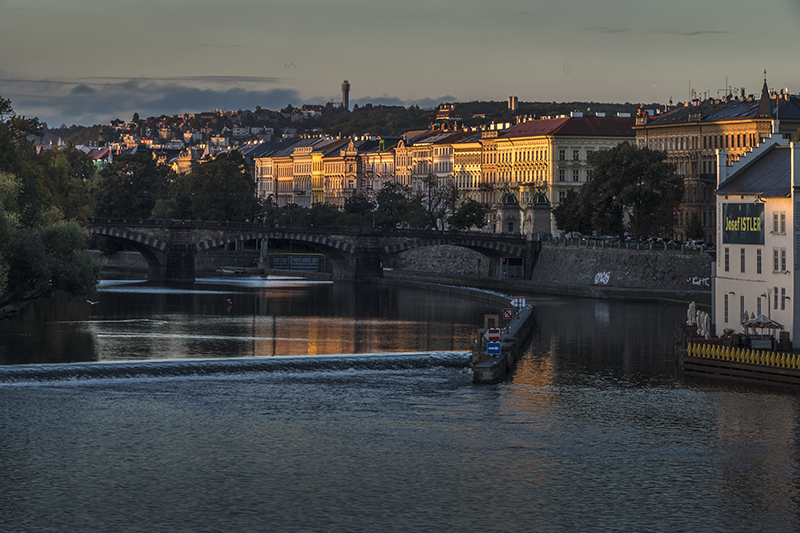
column 629, row 269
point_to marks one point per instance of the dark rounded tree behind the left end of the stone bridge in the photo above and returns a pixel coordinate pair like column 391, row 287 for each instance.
column 130, row 187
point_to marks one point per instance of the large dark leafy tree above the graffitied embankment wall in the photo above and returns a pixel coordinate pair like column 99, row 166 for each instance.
column 632, row 189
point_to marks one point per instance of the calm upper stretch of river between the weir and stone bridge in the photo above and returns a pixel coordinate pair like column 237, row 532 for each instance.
column 238, row 317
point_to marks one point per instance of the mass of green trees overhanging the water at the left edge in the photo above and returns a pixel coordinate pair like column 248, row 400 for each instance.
column 39, row 252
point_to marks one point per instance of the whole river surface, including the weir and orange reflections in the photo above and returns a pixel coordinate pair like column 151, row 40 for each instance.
column 328, row 407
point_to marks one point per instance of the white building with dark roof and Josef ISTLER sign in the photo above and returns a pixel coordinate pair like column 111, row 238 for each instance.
column 754, row 269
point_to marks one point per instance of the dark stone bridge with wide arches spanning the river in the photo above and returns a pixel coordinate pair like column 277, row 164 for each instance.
column 169, row 246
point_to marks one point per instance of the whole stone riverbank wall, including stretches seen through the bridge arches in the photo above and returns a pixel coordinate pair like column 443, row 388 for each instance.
column 560, row 269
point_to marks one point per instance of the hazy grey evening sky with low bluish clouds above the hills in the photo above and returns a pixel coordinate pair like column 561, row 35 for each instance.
column 89, row 61
